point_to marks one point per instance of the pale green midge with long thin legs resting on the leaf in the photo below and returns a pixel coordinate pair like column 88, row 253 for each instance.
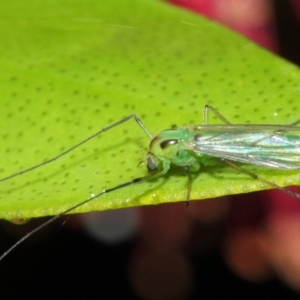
column 189, row 147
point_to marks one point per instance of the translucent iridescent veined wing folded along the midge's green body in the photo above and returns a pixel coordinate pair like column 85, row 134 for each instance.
column 270, row 146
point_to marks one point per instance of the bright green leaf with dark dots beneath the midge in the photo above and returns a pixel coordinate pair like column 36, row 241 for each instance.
column 70, row 68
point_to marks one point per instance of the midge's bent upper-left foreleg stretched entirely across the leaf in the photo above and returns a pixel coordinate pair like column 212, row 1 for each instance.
column 133, row 116
